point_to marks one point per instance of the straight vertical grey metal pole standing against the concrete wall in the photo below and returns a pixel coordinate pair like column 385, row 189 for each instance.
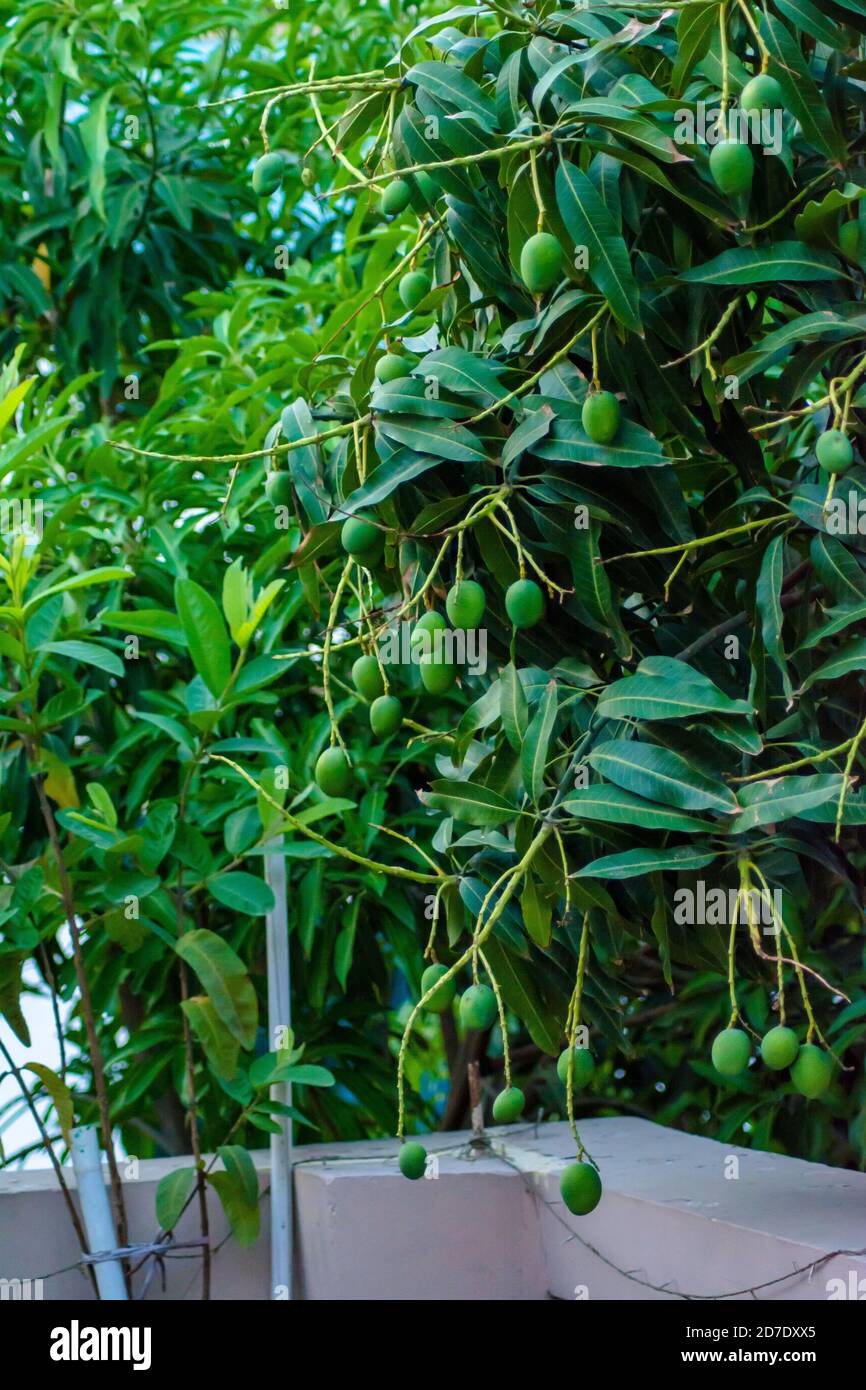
column 280, row 1018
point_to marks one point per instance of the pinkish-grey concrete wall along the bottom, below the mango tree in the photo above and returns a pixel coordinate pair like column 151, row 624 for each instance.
column 680, row 1216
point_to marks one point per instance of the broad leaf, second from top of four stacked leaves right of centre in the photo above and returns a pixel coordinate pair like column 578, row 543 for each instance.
column 661, row 775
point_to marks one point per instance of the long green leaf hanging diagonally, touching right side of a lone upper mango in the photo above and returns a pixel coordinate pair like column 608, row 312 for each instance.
column 590, row 224
